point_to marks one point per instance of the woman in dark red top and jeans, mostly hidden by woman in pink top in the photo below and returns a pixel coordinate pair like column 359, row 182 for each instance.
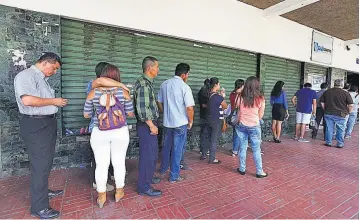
column 234, row 97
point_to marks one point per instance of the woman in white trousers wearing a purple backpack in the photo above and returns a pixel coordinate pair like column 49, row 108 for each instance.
column 110, row 135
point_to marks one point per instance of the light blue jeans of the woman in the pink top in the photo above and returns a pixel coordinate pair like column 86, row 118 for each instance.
column 254, row 135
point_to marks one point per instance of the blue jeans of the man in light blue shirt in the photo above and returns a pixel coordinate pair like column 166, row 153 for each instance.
column 174, row 142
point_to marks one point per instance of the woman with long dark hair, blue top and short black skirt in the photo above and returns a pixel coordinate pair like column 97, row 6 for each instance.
column 280, row 111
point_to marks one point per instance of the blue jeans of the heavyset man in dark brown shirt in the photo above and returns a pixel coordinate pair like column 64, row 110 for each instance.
column 332, row 122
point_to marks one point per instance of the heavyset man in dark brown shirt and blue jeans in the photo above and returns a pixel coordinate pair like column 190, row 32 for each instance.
column 337, row 104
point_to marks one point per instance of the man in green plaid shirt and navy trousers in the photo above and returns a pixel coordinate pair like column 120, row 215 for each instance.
column 147, row 114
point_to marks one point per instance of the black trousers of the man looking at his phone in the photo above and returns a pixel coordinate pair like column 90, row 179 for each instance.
column 39, row 135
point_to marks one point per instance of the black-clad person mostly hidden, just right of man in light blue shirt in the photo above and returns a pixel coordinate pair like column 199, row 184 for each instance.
column 203, row 97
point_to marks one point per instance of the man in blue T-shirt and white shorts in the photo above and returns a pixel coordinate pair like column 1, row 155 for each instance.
column 305, row 102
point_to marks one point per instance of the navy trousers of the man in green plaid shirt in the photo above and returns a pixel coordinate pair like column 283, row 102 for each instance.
column 148, row 147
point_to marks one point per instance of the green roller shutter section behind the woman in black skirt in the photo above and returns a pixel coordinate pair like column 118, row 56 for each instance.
column 274, row 69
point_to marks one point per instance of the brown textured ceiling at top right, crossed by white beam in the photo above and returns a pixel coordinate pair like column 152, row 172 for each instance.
column 338, row 18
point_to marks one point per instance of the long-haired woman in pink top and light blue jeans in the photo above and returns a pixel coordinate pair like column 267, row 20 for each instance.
column 252, row 106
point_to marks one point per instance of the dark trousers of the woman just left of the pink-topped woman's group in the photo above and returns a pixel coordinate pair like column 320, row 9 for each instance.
column 214, row 131
